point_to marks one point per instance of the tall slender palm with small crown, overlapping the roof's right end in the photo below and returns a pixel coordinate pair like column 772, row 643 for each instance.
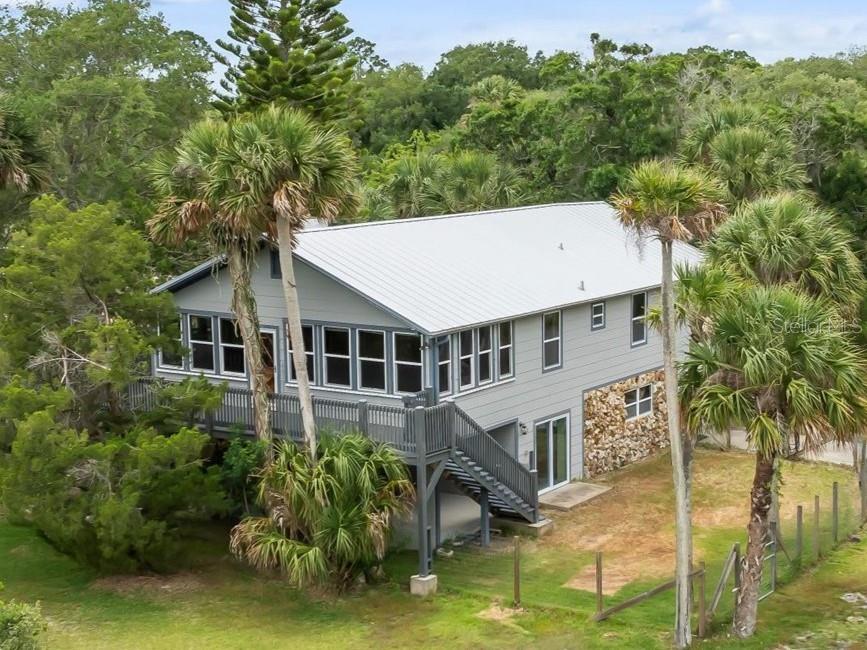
column 672, row 203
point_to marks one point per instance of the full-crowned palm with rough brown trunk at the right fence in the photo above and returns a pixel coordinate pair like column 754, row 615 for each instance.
column 775, row 365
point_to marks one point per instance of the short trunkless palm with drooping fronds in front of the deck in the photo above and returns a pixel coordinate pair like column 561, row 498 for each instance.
column 328, row 519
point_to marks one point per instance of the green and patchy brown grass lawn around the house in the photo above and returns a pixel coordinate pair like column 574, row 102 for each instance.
column 218, row 603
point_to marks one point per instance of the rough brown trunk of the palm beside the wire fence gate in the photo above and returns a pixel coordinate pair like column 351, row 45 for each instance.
column 747, row 604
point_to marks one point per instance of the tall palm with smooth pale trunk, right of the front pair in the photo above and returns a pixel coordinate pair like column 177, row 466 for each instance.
column 292, row 170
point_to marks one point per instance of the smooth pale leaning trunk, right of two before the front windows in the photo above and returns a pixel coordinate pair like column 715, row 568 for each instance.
column 285, row 242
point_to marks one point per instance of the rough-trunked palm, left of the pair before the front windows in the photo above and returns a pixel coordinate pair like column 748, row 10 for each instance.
column 197, row 186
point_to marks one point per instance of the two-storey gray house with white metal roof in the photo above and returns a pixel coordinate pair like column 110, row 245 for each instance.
column 528, row 321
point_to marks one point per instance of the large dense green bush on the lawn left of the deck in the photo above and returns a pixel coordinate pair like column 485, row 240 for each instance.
column 115, row 504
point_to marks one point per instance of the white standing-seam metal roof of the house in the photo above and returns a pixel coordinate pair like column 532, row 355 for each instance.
column 453, row 271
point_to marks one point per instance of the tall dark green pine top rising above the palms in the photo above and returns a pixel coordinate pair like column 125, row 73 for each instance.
column 292, row 52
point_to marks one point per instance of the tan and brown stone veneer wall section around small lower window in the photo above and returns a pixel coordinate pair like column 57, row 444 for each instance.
column 610, row 441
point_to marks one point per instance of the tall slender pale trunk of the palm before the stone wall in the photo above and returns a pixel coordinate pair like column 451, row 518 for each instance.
column 679, row 461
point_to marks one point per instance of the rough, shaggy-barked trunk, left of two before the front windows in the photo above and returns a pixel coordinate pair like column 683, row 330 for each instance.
column 244, row 307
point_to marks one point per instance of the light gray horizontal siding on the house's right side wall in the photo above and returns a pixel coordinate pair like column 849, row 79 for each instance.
column 590, row 358
